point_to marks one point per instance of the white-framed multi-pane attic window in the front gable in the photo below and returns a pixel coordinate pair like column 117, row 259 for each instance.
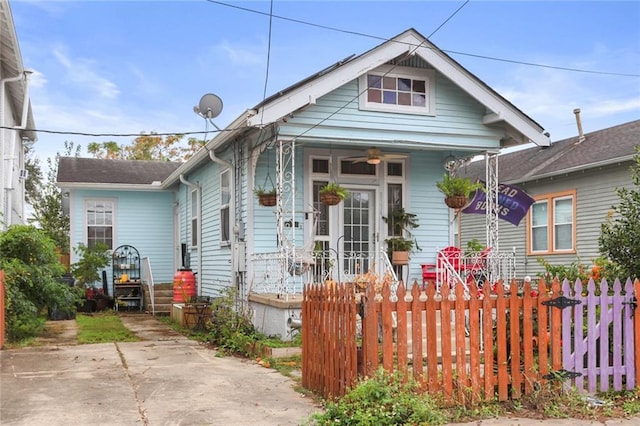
column 398, row 89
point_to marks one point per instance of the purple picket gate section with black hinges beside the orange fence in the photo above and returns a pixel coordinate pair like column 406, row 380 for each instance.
column 598, row 336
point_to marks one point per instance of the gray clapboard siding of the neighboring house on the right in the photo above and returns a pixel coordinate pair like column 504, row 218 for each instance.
column 595, row 196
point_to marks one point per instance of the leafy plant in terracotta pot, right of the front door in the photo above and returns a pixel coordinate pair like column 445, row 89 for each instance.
column 399, row 246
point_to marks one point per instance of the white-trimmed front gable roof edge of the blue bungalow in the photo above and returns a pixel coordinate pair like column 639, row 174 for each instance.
column 520, row 126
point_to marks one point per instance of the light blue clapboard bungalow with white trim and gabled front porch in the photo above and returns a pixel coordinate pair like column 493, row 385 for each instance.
column 382, row 124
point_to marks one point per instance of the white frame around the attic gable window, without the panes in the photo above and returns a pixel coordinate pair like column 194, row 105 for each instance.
column 400, row 72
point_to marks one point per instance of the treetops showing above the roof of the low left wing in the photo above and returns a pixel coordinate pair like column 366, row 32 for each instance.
column 147, row 147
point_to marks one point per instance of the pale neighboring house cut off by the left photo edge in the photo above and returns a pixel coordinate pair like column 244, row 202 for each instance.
column 15, row 119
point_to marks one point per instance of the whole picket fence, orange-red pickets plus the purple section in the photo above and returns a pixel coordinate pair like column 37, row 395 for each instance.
column 468, row 347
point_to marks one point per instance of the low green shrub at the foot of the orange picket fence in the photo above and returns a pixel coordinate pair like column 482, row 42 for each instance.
column 383, row 399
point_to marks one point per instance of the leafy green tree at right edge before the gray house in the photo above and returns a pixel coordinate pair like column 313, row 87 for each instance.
column 620, row 234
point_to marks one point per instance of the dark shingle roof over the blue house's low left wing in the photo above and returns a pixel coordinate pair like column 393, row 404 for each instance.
column 94, row 170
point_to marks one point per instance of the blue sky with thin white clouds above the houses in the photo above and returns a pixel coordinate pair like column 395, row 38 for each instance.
column 126, row 67
